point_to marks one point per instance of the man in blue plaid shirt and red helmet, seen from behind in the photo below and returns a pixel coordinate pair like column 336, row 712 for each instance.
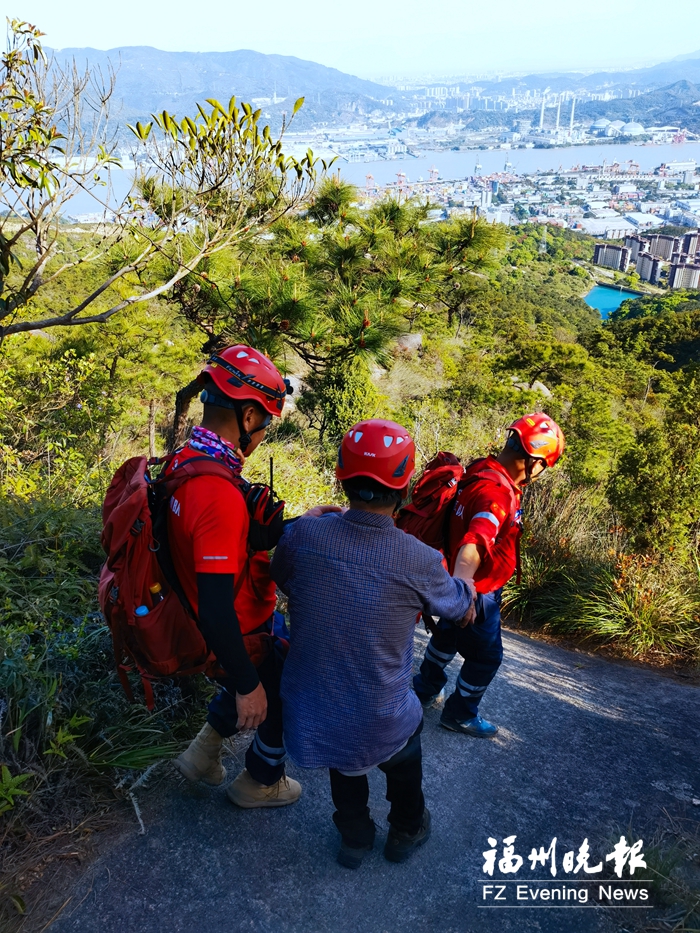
column 356, row 585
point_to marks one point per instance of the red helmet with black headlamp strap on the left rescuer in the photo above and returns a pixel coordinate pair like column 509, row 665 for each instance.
column 245, row 374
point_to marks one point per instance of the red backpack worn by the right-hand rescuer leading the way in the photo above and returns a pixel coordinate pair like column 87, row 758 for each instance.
column 432, row 501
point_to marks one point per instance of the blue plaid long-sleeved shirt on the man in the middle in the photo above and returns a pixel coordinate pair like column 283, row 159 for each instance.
column 356, row 584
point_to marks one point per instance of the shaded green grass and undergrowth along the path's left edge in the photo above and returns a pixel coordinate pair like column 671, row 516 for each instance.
column 68, row 735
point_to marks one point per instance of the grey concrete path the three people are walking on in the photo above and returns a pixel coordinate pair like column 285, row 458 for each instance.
column 586, row 748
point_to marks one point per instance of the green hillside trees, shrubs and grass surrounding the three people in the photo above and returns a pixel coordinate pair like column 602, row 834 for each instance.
column 611, row 554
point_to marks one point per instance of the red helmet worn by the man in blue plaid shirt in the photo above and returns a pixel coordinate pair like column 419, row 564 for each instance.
column 380, row 449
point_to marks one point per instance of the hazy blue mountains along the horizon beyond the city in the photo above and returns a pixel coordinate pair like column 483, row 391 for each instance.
column 150, row 80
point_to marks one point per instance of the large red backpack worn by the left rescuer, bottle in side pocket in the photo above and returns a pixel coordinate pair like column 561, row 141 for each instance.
column 164, row 641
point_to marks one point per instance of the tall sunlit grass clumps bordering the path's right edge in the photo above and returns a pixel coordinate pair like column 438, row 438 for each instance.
column 579, row 581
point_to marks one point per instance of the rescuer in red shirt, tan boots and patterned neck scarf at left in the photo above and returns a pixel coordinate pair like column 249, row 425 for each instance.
column 228, row 587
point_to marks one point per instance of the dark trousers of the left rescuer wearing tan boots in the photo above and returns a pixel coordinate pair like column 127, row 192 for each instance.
column 266, row 754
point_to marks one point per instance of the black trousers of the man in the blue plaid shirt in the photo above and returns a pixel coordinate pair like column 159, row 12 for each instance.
column 404, row 791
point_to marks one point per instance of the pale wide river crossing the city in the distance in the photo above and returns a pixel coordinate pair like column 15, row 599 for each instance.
column 455, row 165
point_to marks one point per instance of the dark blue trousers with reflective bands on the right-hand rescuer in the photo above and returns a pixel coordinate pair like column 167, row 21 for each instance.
column 482, row 649
